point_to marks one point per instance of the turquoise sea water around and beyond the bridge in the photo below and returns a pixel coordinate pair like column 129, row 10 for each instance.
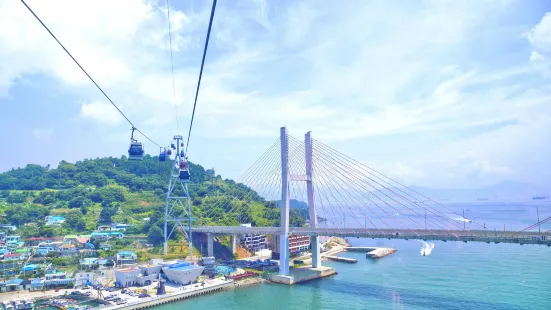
column 452, row 275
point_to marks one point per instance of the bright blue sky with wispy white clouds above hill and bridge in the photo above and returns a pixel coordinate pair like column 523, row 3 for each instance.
column 433, row 93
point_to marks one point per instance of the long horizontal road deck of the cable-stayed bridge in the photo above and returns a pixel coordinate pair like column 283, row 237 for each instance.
column 438, row 235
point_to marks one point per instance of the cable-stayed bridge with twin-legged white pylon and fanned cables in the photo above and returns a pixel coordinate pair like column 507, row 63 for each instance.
column 308, row 188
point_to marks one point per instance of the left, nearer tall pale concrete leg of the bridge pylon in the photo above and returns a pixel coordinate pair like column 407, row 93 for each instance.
column 284, row 233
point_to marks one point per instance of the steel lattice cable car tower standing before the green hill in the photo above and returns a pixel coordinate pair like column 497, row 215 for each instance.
column 177, row 208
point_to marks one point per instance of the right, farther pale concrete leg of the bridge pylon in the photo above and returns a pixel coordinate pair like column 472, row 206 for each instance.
column 314, row 240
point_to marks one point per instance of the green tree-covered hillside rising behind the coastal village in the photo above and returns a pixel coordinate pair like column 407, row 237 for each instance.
column 105, row 190
